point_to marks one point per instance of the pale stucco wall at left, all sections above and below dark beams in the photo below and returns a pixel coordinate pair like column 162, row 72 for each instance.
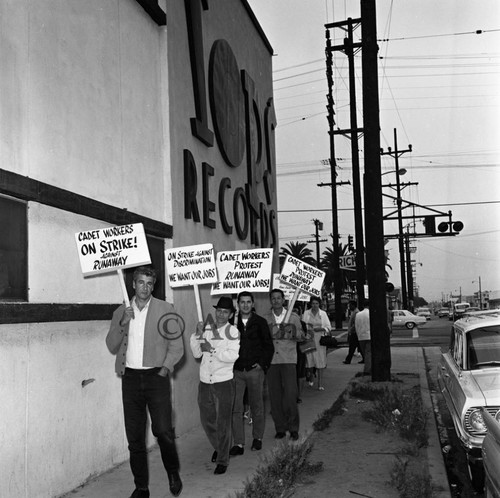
column 82, row 107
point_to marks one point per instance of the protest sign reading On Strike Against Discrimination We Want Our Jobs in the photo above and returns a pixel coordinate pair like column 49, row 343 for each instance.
column 191, row 265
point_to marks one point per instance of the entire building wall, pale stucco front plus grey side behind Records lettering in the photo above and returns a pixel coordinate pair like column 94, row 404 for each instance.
column 96, row 99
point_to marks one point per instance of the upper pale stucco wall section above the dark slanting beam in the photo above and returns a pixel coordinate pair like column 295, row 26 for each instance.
column 81, row 86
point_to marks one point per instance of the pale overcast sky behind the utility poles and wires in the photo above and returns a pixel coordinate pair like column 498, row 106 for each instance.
column 439, row 88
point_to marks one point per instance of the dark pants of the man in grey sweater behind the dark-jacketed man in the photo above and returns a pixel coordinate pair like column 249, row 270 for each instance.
column 282, row 387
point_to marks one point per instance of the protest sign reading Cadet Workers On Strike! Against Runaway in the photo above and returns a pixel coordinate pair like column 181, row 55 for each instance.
column 111, row 249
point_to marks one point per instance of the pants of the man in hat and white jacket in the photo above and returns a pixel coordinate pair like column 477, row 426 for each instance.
column 216, row 411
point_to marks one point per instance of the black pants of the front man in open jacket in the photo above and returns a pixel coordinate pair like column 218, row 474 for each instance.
column 144, row 390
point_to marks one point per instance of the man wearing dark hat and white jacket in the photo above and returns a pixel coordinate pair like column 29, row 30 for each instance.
column 218, row 345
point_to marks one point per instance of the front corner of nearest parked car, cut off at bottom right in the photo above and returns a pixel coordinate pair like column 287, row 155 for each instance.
column 491, row 455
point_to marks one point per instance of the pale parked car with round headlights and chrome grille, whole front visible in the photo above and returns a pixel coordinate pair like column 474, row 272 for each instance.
column 469, row 379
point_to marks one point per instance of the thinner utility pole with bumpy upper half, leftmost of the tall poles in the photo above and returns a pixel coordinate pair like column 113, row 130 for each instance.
column 337, row 282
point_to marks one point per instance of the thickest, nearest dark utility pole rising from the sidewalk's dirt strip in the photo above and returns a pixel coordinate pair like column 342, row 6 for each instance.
column 374, row 225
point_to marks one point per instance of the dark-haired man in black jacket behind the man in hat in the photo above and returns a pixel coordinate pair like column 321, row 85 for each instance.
column 256, row 352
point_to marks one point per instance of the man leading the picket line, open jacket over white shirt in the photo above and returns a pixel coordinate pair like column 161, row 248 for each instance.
column 146, row 355
